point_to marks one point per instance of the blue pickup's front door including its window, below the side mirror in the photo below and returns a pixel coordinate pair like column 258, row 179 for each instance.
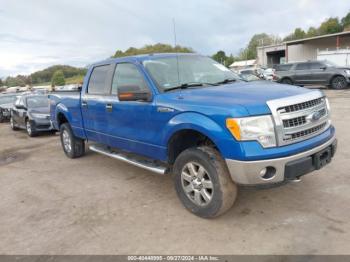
column 130, row 124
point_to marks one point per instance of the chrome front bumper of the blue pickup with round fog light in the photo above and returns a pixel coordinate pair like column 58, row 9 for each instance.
column 282, row 169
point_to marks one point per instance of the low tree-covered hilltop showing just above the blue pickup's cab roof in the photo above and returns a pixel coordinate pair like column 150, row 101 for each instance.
column 150, row 49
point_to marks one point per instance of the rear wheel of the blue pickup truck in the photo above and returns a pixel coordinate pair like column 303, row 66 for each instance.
column 72, row 146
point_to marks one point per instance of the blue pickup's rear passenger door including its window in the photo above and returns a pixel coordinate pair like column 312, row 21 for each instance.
column 94, row 102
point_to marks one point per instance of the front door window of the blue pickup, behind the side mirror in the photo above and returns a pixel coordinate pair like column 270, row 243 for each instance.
column 128, row 78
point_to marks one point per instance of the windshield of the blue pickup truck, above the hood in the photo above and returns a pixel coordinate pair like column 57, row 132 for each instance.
column 170, row 72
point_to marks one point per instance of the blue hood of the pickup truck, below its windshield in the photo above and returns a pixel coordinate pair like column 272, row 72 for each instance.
column 252, row 96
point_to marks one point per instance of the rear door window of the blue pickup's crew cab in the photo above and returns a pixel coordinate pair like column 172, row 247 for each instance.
column 98, row 83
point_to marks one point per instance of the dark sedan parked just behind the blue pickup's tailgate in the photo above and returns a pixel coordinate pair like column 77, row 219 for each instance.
column 31, row 112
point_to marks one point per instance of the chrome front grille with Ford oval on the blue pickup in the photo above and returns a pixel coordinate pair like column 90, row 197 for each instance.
column 299, row 117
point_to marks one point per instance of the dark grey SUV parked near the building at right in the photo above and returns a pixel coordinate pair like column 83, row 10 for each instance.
column 315, row 73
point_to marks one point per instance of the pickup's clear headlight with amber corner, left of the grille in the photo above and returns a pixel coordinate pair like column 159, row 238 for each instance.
column 259, row 128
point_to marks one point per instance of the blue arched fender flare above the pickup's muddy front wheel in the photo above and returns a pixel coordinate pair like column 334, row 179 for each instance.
column 200, row 123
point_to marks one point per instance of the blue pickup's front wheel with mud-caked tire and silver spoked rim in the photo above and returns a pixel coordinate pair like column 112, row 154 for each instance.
column 210, row 196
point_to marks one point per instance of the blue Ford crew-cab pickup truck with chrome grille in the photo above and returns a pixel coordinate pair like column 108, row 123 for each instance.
column 189, row 116
